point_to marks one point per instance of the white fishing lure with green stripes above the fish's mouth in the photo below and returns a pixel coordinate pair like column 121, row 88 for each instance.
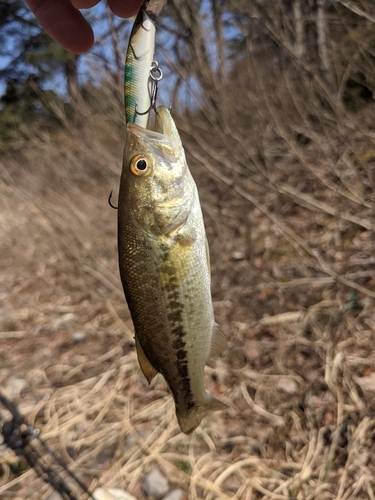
column 138, row 63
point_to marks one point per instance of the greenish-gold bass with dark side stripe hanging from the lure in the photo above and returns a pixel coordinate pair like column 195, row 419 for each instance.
column 165, row 267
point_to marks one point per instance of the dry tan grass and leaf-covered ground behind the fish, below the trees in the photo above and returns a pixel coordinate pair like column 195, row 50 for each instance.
column 298, row 375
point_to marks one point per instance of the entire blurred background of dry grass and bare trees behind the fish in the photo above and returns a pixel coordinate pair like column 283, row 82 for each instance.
column 275, row 104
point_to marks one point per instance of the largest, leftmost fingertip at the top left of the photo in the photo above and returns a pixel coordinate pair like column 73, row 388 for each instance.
column 64, row 24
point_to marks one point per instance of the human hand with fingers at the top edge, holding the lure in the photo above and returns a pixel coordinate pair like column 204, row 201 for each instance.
column 62, row 20
